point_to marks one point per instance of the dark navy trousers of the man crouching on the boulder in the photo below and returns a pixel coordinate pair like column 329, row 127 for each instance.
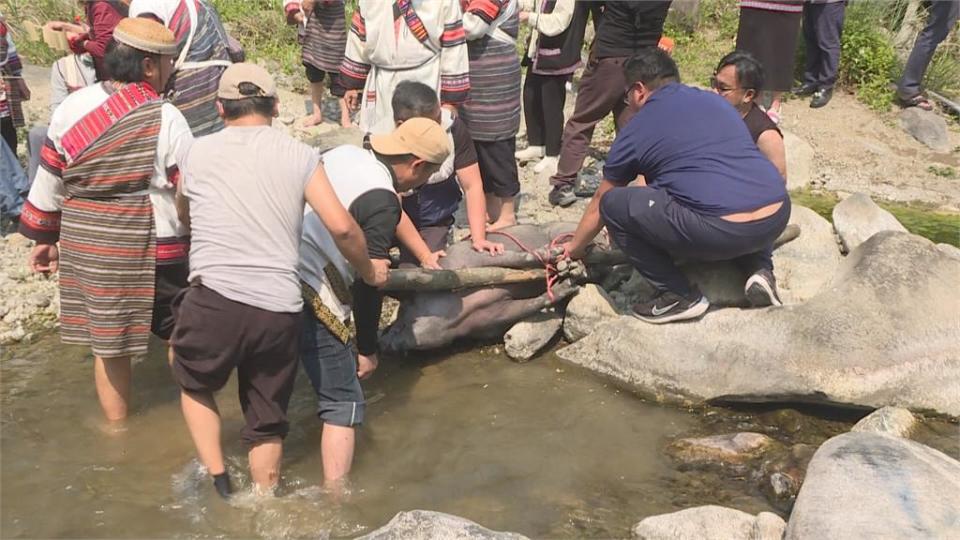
column 652, row 228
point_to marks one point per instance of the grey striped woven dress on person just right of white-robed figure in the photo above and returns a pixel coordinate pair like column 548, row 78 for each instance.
column 493, row 111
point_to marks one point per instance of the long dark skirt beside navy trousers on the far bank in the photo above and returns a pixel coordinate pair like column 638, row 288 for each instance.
column 771, row 36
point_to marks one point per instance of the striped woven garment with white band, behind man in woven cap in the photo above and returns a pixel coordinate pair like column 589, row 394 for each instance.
column 203, row 55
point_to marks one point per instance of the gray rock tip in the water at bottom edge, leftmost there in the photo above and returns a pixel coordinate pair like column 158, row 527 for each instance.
column 427, row 525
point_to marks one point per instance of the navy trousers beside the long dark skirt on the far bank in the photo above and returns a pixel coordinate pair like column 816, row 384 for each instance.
column 822, row 29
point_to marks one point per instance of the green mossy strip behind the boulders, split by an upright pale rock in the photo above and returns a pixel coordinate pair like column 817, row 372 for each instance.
column 920, row 219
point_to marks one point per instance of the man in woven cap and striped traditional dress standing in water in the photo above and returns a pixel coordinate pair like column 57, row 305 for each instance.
column 105, row 191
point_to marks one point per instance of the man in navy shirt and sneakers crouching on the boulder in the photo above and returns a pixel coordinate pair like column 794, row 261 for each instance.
column 709, row 193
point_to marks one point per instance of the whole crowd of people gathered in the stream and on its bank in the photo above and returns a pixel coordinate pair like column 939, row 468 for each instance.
column 169, row 205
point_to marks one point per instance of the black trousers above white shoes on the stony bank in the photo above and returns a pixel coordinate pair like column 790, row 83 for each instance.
column 543, row 100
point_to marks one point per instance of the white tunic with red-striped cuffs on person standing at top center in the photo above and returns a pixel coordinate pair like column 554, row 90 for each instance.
column 419, row 40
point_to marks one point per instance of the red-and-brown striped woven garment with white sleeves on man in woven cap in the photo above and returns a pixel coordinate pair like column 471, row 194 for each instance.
column 100, row 194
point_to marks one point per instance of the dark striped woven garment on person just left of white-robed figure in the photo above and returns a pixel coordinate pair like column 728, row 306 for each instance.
column 324, row 38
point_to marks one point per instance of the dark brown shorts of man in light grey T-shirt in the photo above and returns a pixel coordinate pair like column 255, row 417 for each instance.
column 214, row 334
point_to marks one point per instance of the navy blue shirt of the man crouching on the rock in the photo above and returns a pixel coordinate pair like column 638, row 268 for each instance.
column 694, row 145
